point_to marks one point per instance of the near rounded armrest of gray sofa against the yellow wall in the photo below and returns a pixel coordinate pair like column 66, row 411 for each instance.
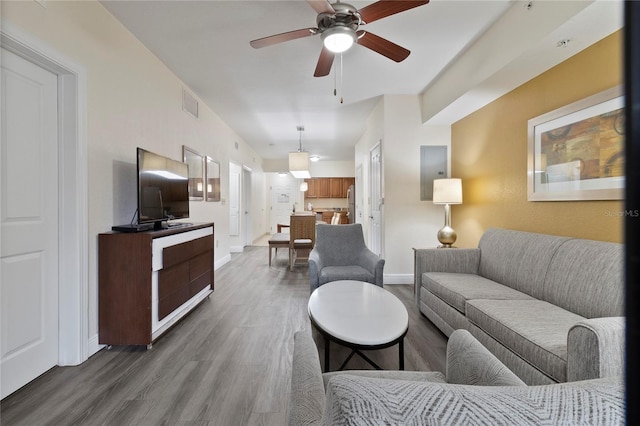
column 595, row 348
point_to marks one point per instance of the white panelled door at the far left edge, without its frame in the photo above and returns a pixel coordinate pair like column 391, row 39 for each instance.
column 29, row 222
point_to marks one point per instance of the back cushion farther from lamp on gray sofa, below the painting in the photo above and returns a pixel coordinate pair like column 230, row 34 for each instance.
column 586, row 277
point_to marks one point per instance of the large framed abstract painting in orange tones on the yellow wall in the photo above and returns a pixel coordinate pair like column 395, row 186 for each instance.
column 576, row 152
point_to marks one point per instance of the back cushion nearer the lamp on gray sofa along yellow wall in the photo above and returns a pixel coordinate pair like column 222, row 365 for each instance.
column 517, row 259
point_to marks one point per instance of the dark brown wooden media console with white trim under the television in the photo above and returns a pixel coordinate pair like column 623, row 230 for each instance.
column 149, row 280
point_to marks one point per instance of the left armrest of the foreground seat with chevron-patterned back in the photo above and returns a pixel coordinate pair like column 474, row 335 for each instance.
column 307, row 388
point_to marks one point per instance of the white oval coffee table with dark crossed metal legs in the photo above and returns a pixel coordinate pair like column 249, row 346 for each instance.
column 358, row 315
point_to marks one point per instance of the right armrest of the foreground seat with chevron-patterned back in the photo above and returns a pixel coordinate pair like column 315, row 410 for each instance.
column 470, row 363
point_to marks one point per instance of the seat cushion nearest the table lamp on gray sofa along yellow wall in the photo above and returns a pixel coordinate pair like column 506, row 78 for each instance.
column 456, row 289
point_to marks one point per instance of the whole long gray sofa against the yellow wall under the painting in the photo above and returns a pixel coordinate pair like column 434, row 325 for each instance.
column 549, row 307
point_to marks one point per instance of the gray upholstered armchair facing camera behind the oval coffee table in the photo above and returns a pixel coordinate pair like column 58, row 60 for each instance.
column 341, row 254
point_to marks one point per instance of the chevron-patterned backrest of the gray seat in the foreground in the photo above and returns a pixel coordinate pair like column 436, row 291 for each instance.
column 355, row 400
